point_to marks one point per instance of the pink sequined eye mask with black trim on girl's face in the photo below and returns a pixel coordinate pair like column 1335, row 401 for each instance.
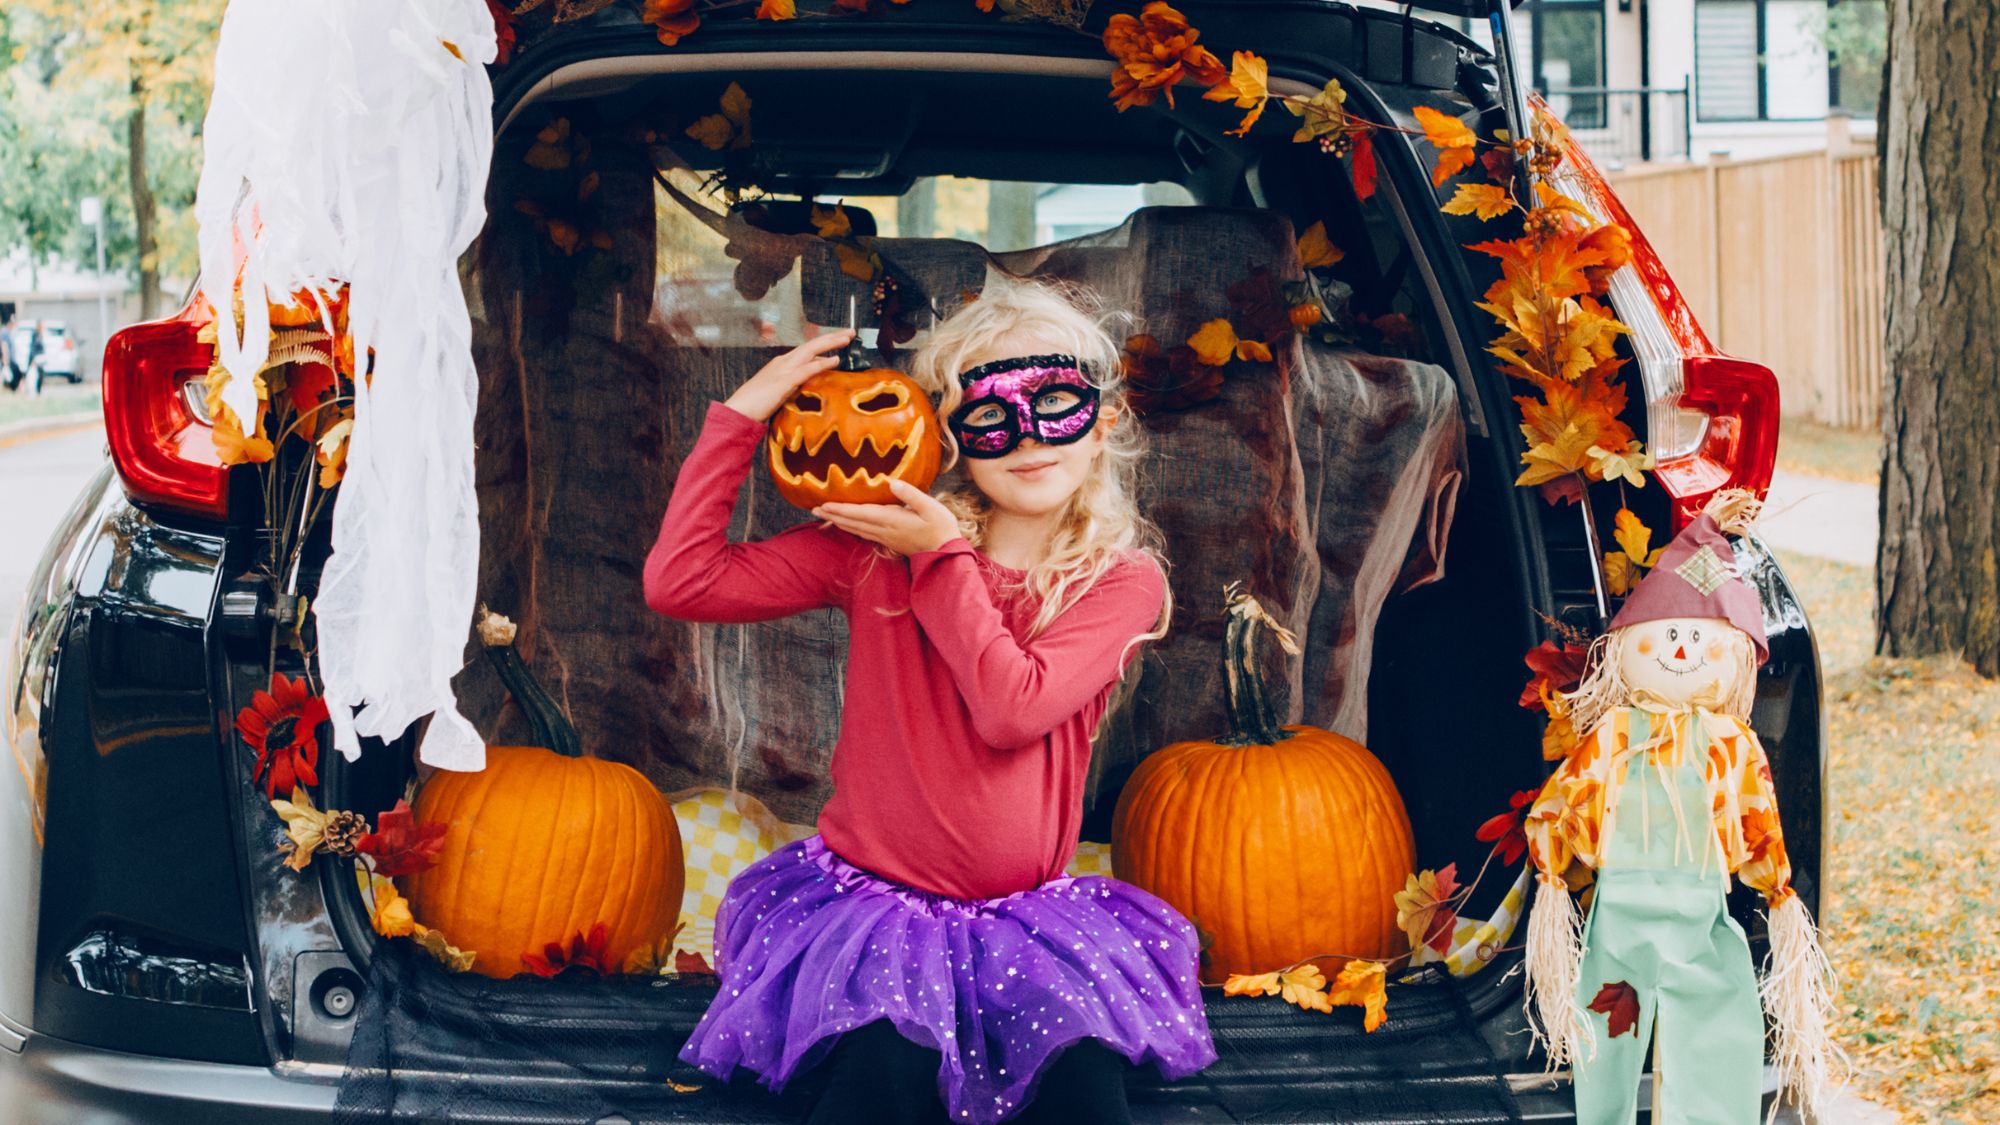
column 1047, row 399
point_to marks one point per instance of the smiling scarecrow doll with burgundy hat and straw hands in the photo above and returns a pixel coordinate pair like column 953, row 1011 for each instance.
column 1663, row 800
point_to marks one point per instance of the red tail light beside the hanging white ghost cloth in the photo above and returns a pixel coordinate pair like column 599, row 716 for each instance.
column 161, row 449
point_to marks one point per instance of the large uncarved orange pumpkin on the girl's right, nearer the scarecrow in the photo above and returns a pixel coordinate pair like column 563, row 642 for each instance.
column 1275, row 842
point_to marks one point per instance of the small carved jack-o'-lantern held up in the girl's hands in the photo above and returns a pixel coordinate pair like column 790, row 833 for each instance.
column 845, row 435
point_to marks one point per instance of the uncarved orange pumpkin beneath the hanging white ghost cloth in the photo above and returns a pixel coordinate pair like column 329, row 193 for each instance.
column 547, row 844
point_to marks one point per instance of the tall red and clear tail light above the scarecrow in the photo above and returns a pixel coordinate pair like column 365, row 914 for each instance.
column 1711, row 419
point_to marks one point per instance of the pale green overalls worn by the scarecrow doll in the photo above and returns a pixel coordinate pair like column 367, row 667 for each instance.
column 1659, row 924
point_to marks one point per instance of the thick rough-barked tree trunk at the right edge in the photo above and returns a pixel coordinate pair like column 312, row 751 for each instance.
column 1937, row 572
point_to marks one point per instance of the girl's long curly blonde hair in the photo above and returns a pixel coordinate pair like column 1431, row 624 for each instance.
column 1103, row 521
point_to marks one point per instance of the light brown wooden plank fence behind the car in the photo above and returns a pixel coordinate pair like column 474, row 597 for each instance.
column 1783, row 263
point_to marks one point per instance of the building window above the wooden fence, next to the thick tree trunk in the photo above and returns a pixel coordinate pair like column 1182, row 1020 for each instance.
column 1787, row 59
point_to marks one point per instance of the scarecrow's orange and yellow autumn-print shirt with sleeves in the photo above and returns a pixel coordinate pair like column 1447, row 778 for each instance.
column 1567, row 822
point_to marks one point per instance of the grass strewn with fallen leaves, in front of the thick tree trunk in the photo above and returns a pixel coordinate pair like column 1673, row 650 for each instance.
column 1915, row 848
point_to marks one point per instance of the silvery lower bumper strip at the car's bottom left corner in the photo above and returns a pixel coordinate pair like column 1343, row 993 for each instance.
column 51, row 1082
